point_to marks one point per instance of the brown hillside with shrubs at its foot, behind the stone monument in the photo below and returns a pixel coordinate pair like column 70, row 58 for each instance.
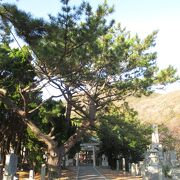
column 161, row 109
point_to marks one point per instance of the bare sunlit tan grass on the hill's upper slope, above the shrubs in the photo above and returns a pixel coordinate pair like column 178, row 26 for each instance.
column 158, row 108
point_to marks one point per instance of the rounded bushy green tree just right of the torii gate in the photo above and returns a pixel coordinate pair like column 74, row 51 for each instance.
column 122, row 134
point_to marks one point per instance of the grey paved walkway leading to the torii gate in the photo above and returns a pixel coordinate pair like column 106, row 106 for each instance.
column 89, row 173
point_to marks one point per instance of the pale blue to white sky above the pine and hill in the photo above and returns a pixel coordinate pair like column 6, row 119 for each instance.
column 138, row 16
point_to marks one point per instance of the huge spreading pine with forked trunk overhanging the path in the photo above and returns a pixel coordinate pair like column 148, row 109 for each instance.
column 91, row 62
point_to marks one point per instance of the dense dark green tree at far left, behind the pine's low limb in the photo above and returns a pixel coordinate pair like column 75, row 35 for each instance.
column 16, row 73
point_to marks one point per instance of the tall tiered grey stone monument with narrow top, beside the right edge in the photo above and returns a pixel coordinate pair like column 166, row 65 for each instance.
column 157, row 163
